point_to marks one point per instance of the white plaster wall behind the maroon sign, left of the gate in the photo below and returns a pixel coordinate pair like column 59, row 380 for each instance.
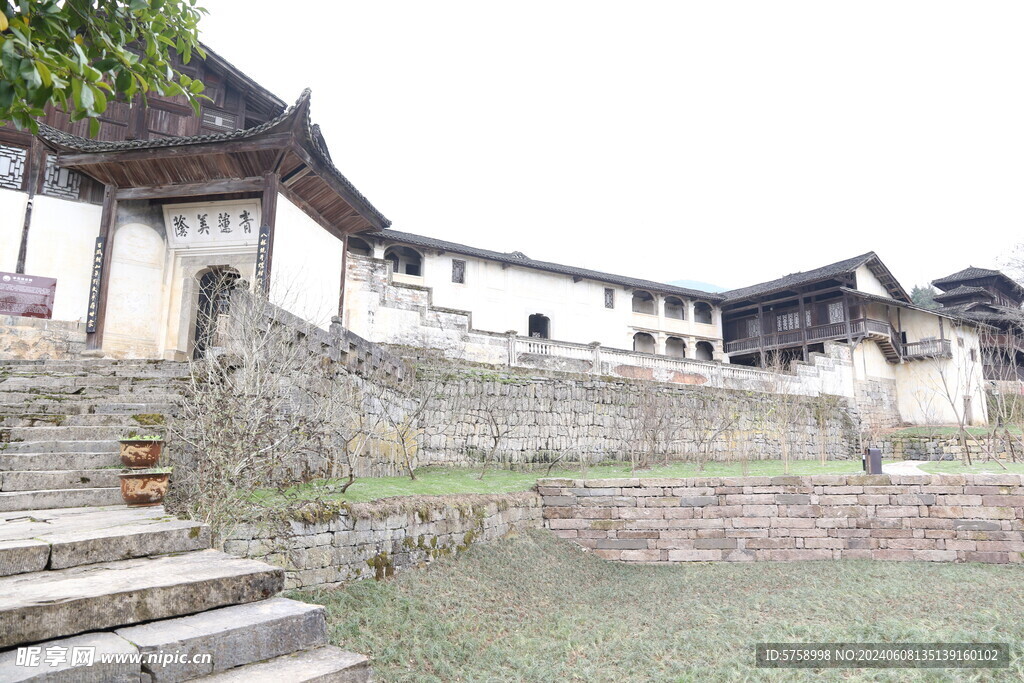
column 62, row 240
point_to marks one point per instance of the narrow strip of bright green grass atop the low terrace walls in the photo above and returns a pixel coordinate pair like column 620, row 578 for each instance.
column 440, row 481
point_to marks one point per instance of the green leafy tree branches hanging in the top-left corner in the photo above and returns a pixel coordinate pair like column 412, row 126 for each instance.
column 79, row 55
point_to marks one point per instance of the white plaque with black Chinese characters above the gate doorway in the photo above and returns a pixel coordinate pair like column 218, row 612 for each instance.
column 212, row 224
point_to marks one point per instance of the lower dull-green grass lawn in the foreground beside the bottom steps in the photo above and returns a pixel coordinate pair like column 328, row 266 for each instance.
column 536, row 609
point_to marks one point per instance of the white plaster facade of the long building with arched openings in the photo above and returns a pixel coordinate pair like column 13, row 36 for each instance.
column 502, row 300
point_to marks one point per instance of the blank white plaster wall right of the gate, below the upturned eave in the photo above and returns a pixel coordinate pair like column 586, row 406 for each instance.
column 306, row 275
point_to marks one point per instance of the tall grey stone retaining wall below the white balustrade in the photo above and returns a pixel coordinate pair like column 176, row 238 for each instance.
column 559, row 415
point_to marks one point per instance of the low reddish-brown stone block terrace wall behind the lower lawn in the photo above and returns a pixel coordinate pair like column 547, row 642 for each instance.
column 964, row 519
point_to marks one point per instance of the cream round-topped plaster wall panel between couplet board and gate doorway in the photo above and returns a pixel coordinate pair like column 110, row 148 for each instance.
column 136, row 297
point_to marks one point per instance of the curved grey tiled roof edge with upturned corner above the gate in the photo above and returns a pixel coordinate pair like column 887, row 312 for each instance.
column 69, row 143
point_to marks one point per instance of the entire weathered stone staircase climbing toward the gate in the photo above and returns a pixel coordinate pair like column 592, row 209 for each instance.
column 135, row 594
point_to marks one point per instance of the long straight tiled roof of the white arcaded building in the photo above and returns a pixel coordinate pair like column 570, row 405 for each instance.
column 519, row 259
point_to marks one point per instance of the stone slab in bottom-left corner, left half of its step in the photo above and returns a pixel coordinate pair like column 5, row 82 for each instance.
column 71, row 671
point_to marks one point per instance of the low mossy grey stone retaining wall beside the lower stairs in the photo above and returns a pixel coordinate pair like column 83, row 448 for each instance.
column 375, row 540
